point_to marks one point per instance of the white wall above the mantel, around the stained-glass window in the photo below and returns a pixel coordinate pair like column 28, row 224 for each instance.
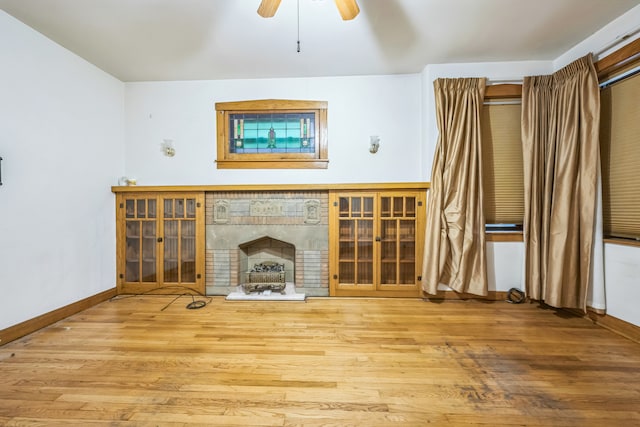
column 387, row 106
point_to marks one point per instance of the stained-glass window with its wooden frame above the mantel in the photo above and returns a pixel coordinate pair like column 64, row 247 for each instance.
column 272, row 134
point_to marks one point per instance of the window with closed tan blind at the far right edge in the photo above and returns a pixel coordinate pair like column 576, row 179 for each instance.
column 620, row 155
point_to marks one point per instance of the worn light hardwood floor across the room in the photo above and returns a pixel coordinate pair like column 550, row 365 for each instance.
column 324, row 362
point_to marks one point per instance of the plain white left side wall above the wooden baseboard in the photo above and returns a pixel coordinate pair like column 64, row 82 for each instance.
column 61, row 133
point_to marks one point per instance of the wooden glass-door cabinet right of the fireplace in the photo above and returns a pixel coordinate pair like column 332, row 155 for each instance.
column 376, row 241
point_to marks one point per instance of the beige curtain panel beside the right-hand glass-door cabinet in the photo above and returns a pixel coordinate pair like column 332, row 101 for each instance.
column 455, row 243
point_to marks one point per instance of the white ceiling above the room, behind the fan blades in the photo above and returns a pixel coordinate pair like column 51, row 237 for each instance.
column 143, row 40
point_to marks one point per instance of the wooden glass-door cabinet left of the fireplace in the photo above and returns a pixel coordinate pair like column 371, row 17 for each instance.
column 160, row 242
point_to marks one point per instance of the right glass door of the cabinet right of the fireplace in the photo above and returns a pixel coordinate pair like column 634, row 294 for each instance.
column 397, row 240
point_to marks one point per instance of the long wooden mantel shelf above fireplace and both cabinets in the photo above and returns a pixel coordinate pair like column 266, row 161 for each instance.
column 274, row 187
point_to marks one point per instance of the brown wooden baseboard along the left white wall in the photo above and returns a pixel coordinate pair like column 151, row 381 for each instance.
column 29, row 326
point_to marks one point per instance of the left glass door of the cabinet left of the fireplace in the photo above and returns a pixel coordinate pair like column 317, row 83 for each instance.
column 141, row 236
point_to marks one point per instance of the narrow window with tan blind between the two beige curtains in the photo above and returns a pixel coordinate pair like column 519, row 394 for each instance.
column 502, row 165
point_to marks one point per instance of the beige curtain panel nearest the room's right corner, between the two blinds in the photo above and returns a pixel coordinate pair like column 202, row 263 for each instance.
column 560, row 122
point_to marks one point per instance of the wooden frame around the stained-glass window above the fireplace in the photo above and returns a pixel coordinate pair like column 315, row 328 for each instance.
column 228, row 160
